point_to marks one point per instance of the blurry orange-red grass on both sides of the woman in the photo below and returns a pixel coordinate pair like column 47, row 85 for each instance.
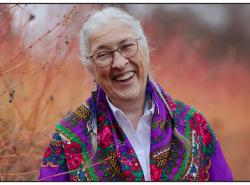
column 41, row 82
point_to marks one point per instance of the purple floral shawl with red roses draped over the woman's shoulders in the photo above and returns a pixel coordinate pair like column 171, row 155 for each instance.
column 89, row 145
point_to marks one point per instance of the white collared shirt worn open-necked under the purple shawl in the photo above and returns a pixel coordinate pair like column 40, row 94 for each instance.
column 140, row 138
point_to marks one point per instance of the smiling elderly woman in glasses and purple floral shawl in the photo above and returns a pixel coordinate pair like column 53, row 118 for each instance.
column 130, row 129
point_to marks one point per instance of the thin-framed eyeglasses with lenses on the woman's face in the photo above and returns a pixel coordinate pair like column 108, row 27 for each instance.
column 105, row 58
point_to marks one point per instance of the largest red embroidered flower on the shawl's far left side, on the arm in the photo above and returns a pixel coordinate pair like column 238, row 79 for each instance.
column 73, row 155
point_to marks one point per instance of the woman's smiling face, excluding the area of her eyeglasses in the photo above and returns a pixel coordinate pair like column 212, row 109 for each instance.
column 125, row 79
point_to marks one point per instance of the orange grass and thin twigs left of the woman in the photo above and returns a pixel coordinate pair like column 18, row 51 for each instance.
column 36, row 84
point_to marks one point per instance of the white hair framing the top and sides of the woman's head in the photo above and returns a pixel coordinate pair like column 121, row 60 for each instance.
column 99, row 18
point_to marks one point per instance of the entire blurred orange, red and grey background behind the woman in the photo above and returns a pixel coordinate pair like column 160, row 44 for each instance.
column 199, row 54
